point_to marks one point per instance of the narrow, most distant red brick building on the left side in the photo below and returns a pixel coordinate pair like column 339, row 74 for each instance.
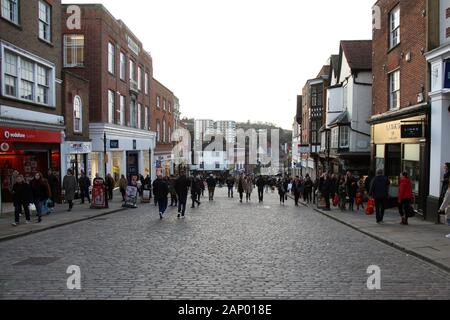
column 163, row 123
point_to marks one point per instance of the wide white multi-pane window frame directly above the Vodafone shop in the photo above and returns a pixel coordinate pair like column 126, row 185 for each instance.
column 36, row 61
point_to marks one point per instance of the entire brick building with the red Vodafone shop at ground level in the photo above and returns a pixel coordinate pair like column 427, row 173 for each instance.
column 31, row 121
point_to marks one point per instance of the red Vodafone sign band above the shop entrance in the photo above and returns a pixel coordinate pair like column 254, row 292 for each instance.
column 25, row 135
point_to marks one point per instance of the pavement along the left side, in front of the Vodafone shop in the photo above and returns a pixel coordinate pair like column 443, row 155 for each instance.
column 60, row 217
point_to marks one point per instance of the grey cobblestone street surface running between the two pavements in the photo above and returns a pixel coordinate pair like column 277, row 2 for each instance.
column 222, row 250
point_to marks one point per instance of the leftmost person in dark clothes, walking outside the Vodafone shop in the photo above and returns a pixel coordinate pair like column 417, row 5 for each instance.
column 22, row 194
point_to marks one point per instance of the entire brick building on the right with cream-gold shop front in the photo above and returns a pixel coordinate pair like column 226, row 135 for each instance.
column 400, row 112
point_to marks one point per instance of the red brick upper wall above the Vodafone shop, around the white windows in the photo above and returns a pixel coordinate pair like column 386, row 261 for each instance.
column 26, row 36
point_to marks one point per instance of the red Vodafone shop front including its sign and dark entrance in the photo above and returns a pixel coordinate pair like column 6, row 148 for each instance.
column 27, row 151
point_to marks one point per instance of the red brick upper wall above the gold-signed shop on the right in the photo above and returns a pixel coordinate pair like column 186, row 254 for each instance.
column 413, row 74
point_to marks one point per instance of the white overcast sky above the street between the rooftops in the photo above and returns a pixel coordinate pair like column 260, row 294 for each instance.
column 241, row 59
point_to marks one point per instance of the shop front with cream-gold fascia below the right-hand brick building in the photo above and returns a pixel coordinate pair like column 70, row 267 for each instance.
column 399, row 146
